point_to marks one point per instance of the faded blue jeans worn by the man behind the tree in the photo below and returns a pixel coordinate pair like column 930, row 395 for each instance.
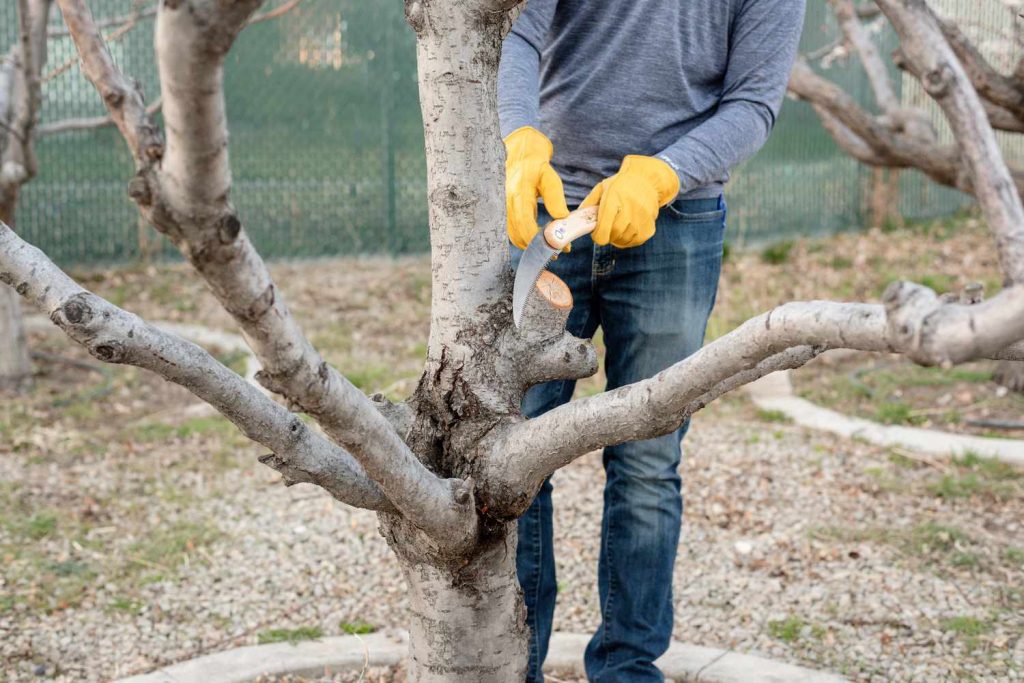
column 653, row 304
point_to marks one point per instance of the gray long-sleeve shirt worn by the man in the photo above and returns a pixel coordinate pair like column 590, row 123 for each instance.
column 698, row 83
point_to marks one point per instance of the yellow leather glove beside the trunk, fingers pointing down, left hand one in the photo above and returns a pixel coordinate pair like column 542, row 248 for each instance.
column 528, row 175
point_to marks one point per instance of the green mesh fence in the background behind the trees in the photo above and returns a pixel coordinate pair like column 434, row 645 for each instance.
column 327, row 147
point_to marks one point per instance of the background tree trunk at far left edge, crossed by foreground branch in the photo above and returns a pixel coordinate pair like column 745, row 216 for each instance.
column 20, row 99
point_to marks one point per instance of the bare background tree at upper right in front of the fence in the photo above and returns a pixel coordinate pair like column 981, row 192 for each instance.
column 902, row 137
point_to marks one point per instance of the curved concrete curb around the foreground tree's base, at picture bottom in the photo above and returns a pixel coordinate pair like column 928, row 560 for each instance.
column 347, row 654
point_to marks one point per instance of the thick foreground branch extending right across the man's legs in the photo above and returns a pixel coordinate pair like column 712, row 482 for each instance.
column 914, row 322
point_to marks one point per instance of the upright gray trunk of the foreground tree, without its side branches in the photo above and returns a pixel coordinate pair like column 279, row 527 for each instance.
column 468, row 617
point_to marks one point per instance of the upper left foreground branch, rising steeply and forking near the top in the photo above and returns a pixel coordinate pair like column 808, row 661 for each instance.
column 186, row 197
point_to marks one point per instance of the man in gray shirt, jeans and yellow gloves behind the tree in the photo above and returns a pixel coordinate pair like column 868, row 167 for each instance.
column 639, row 108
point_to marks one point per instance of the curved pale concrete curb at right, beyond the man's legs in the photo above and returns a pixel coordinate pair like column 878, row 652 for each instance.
column 775, row 393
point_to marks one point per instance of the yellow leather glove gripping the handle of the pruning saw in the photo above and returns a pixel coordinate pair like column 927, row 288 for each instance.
column 628, row 202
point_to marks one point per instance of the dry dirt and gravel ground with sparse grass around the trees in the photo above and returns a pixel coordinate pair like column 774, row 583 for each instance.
column 135, row 534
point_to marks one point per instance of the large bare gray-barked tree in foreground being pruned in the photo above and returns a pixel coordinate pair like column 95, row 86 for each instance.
column 450, row 469
